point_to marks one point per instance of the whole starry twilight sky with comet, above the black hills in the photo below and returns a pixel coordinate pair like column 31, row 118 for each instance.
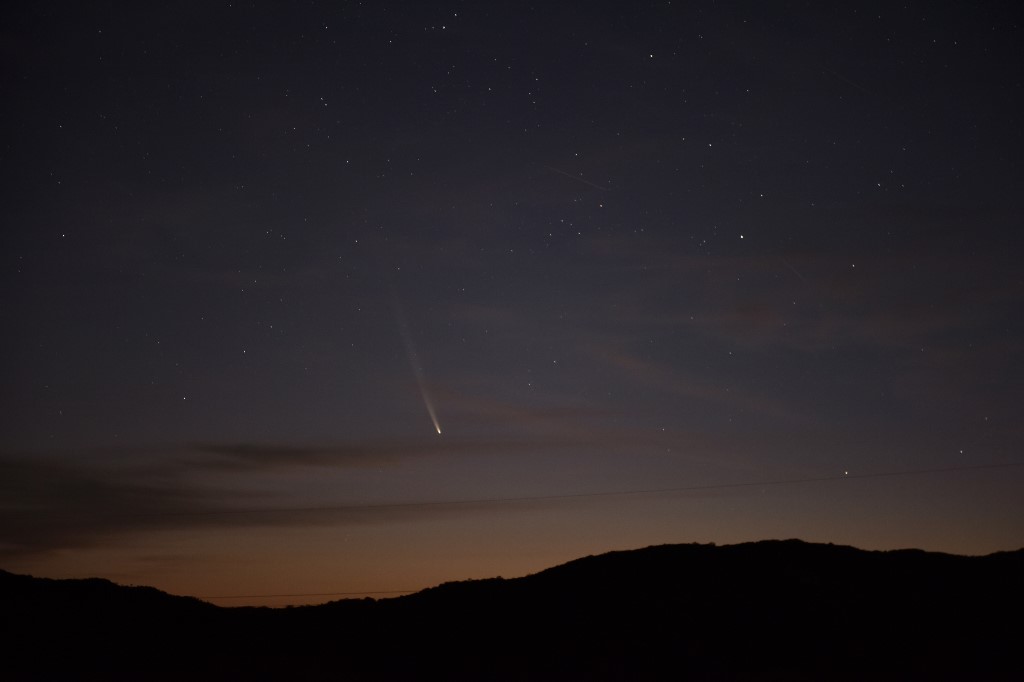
column 324, row 299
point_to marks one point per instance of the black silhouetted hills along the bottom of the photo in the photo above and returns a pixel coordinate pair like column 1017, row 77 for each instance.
column 770, row 611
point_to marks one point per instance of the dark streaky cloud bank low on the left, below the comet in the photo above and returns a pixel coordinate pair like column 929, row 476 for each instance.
column 63, row 501
